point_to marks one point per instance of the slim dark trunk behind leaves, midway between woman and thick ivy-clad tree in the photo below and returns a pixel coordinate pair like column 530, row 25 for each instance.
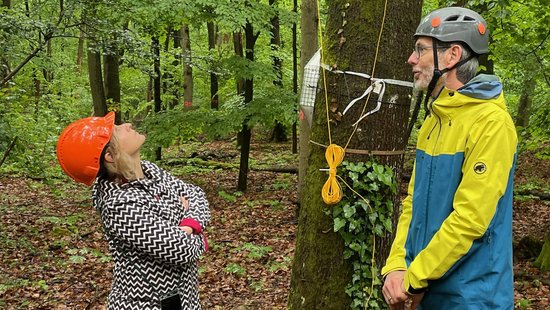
column 245, row 134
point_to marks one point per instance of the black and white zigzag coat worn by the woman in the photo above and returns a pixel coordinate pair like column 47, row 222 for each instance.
column 153, row 258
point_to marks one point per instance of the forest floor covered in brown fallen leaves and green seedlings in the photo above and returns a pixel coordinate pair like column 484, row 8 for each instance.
column 53, row 254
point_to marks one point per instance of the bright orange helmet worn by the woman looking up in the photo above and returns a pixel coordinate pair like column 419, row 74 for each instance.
column 80, row 146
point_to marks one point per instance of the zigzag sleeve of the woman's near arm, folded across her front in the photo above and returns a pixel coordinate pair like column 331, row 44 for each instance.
column 130, row 221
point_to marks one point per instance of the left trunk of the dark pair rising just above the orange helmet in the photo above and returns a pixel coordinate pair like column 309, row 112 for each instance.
column 96, row 81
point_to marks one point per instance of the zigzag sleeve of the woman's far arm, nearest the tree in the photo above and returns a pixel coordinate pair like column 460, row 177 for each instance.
column 198, row 205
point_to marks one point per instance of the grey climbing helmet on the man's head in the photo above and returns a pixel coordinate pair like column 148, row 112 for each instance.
column 454, row 24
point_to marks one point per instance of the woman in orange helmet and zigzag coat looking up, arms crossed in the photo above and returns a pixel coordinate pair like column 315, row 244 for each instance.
column 152, row 221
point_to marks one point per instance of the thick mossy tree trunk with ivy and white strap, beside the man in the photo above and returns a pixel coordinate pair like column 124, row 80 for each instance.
column 320, row 273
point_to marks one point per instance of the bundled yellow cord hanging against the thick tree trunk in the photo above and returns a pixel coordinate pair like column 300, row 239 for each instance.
column 332, row 192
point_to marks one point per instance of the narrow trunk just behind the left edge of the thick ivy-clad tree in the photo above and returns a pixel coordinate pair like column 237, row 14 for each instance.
column 309, row 26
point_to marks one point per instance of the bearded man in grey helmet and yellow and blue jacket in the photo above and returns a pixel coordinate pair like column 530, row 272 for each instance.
column 453, row 247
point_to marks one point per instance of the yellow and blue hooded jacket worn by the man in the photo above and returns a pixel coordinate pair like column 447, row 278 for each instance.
column 454, row 236
